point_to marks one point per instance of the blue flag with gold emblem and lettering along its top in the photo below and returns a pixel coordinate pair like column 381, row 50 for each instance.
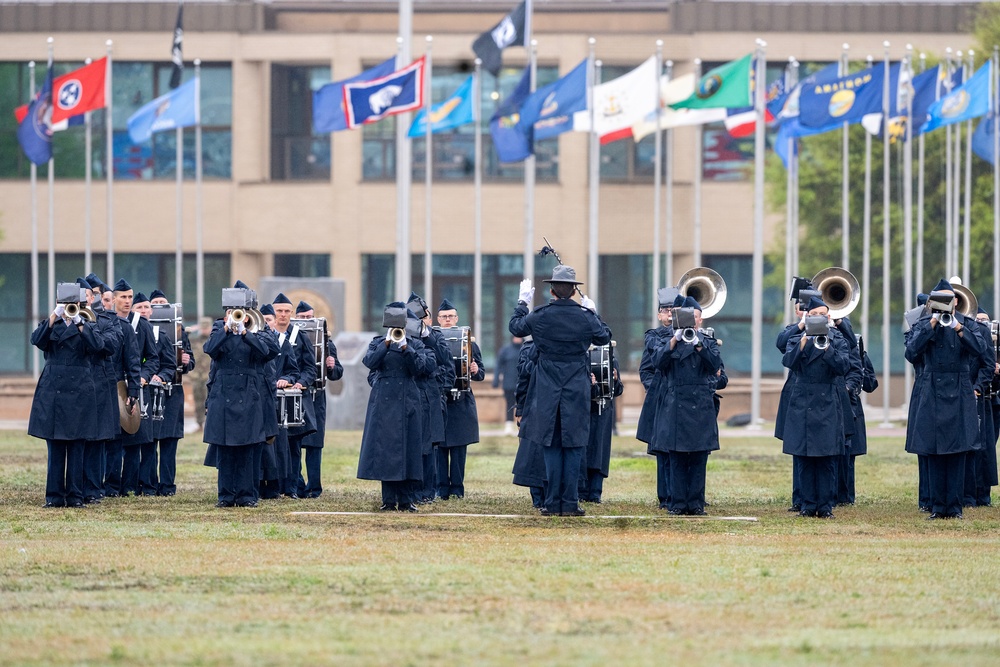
column 846, row 99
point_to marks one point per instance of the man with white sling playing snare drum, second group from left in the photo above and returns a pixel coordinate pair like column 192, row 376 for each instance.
column 296, row 370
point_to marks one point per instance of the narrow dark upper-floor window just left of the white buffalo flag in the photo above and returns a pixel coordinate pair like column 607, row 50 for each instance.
column 297, row 153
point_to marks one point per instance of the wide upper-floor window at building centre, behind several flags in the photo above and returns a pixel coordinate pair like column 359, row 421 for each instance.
column 454, row 150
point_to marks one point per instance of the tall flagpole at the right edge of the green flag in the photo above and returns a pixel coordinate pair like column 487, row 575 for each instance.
column 757, row 317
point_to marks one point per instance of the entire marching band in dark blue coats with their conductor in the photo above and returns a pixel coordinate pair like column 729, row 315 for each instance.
column 266, row 396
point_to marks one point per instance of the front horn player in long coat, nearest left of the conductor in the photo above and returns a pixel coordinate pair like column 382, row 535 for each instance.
column 391, row 442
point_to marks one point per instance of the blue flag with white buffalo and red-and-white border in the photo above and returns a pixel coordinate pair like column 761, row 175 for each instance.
column 401, row 91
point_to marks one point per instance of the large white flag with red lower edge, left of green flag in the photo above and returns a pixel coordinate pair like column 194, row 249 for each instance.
column 621, row 103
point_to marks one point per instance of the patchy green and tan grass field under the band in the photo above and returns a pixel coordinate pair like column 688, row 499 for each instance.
column 177, row 581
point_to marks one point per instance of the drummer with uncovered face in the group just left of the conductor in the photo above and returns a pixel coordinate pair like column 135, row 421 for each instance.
column 462, row 422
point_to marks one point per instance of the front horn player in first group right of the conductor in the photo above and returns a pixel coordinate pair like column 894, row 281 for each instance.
column 686, row 423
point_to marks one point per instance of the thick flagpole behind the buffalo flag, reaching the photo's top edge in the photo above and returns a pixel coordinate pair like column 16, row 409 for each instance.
column 404, row 159
